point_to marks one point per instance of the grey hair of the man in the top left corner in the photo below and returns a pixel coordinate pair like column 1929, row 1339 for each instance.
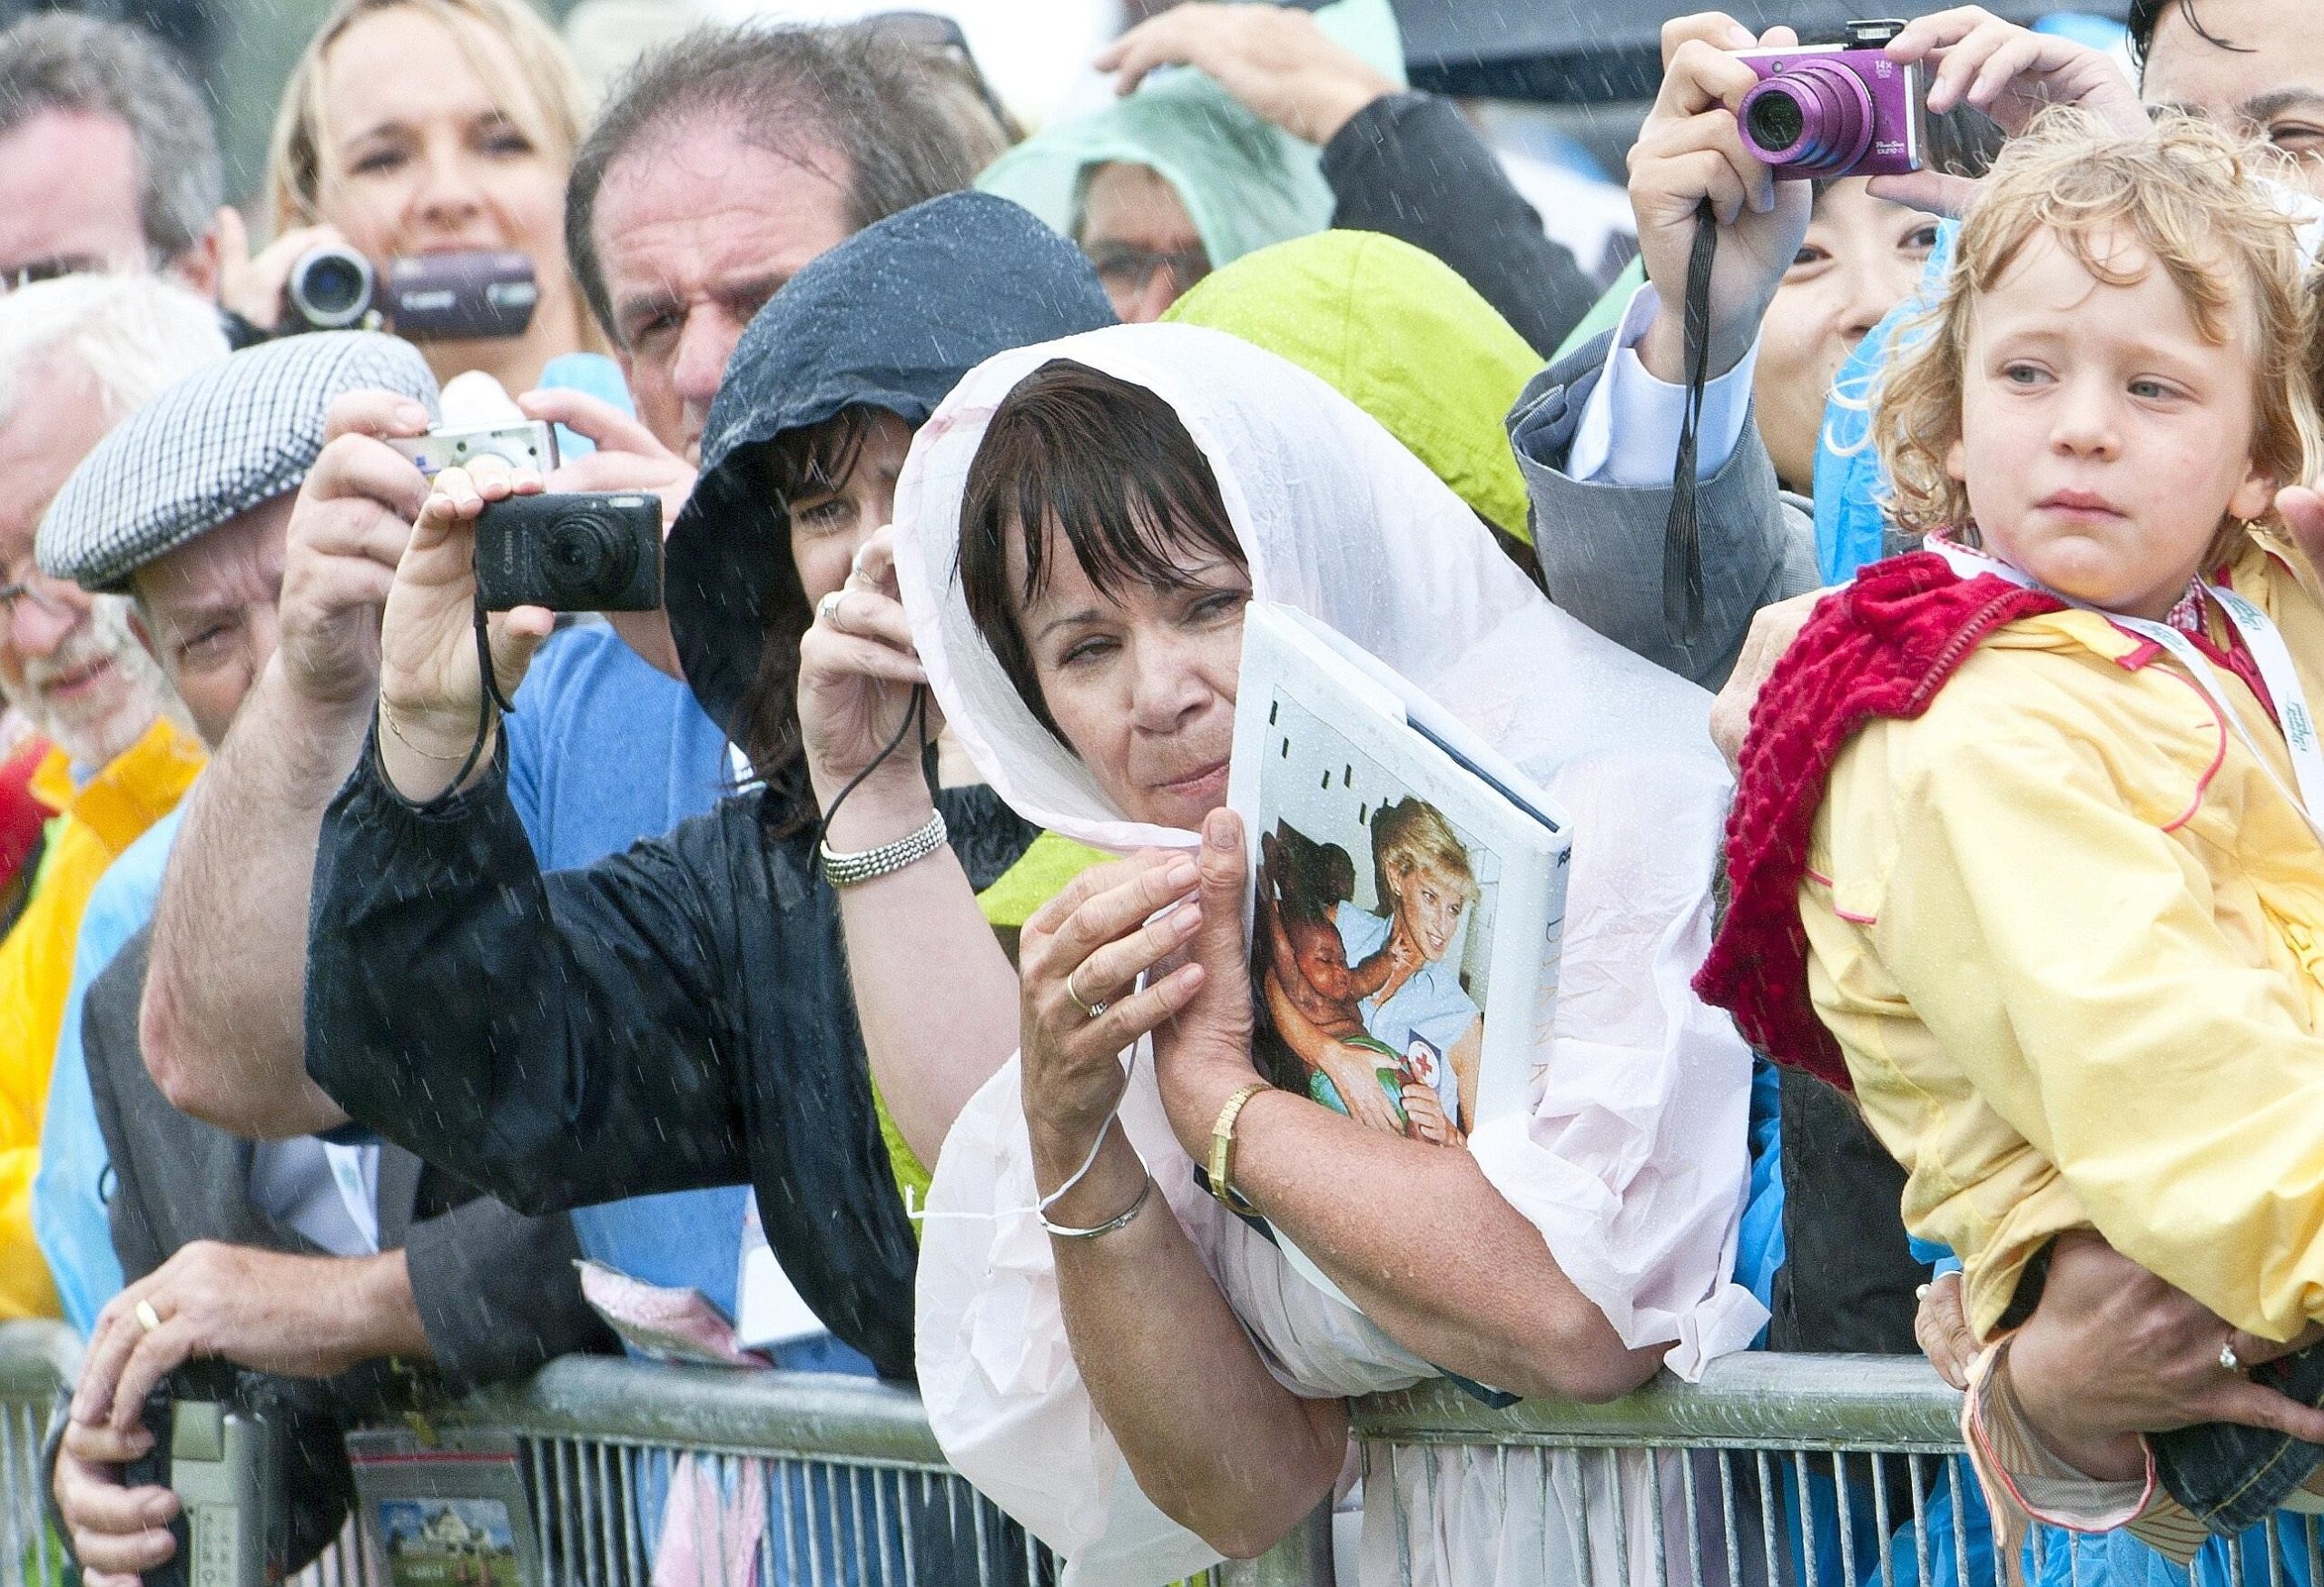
column 110, row 69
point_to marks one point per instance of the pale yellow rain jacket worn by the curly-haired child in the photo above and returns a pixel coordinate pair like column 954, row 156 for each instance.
column 2067, row 935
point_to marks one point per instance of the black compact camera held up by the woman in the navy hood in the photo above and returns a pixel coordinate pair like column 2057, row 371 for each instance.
column 580, row 552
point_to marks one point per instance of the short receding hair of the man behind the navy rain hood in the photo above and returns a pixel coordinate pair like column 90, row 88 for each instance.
column 856, row 94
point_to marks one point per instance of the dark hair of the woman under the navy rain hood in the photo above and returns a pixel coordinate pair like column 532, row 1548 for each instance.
column 796, row 464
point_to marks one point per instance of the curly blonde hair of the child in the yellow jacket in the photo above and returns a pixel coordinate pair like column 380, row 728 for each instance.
column 2197, row 201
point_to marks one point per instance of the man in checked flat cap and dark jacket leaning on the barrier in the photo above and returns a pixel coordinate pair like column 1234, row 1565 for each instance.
column 327, row 1270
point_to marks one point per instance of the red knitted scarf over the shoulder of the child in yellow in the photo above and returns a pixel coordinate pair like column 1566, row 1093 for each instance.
column 1881, row 647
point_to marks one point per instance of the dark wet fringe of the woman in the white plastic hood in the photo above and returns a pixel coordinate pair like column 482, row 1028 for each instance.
column 1100, row 468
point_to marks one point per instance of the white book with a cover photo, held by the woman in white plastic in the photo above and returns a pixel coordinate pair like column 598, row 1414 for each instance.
column 1407, row 893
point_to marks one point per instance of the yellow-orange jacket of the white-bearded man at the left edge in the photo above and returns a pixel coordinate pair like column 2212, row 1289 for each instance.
column 94, row 824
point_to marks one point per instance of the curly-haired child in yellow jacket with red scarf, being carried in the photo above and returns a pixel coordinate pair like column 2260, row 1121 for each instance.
column 2028, row 838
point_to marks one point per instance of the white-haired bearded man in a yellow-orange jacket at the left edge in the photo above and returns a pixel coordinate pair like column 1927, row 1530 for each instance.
column 76, row 359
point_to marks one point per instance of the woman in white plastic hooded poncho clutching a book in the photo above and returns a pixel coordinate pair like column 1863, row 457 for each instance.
column 1565, row 1254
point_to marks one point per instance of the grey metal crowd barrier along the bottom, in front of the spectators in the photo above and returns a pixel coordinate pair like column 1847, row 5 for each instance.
column 1774, row 1472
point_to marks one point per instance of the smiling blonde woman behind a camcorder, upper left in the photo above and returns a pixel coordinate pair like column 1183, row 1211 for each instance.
column 429, row 127
